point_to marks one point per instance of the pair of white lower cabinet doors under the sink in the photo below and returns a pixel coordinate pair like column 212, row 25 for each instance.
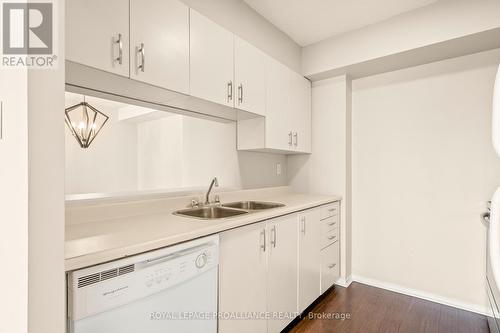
column 258, row 274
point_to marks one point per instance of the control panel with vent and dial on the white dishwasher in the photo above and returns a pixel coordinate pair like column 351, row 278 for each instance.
column 153, row 273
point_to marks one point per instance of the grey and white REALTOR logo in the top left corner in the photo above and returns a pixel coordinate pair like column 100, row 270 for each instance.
column 28, row 34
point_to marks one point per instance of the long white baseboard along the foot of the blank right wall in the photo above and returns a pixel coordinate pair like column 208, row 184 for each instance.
column 423, row 295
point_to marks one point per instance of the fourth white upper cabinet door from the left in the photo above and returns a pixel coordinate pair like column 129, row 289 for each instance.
column 250, row 77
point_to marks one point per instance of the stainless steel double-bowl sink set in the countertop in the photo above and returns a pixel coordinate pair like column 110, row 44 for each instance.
column 214, row 212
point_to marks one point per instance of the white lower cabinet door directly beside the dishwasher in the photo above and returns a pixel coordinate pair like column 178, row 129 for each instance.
column 242, row 277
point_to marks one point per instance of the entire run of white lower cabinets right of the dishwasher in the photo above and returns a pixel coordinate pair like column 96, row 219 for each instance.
column 274, row 268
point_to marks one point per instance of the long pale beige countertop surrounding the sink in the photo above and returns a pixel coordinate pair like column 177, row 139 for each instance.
column 100, row 232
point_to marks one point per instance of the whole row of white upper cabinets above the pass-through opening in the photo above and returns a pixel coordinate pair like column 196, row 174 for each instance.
column 167, row 54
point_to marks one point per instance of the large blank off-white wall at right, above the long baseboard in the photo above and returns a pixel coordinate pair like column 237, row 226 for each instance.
column 423, row 166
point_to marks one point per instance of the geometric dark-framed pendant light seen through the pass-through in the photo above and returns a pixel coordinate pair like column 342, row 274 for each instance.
column 85, row 122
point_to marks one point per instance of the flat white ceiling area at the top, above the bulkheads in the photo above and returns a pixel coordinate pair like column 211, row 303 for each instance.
column 309, row 21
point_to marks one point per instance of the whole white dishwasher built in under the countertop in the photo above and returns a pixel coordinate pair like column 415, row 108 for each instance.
column 168, row 290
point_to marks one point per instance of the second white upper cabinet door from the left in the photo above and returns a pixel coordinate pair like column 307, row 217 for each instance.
column 159, row 40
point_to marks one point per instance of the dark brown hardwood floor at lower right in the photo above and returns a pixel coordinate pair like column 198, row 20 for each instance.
column 377, row 310
